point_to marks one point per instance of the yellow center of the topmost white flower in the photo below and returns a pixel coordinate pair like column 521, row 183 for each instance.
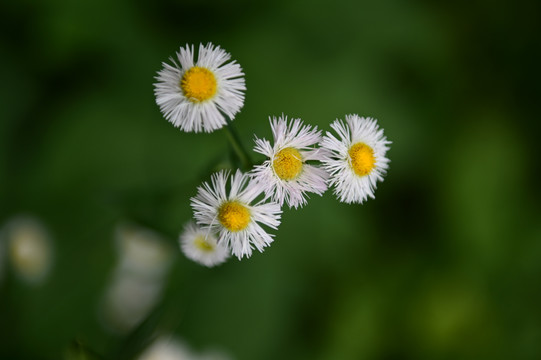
column 198, row 84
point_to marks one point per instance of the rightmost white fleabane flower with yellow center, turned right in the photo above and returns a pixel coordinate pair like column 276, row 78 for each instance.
column 358, row 158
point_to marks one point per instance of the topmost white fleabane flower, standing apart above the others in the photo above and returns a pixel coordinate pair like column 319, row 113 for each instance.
column 196, row 96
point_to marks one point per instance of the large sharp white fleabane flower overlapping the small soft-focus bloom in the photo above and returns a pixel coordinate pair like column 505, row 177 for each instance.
column 231, row 214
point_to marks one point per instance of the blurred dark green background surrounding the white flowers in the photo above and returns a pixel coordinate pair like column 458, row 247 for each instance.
column 445, row 263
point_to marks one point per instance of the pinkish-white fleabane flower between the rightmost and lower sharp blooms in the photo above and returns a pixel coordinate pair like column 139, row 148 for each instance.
column 286, row 176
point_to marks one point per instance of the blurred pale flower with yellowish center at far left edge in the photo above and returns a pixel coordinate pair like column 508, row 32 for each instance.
column 29, row 249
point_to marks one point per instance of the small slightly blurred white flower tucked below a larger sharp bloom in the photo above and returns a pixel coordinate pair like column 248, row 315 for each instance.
column 202, row 246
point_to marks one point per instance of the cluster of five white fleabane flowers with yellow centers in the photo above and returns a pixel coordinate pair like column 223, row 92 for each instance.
column 233, row 210
